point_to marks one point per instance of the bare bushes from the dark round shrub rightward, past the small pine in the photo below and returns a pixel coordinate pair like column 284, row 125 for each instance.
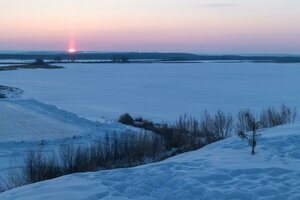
column 190, row 133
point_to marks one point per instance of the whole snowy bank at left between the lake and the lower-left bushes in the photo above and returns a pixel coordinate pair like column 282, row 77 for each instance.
column 27, row 124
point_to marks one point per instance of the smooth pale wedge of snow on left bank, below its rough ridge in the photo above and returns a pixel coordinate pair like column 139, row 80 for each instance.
column 19, row 124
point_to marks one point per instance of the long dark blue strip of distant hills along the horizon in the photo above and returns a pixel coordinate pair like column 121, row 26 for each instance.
column 57, row 56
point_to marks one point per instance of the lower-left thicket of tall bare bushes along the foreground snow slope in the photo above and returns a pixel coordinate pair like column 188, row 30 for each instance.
column 114, row 150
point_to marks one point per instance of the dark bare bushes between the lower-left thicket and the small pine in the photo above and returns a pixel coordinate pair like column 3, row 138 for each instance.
column 188, row 133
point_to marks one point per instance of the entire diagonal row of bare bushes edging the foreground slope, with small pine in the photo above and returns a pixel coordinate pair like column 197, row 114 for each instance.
column 157, row 142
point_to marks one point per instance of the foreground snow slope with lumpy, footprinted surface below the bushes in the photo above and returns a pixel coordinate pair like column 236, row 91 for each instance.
column 223, row 170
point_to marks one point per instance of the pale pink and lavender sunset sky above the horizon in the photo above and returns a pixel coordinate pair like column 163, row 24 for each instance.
column 199, row 26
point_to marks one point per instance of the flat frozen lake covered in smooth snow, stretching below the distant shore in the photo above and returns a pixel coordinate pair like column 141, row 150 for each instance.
column 159, row 91
